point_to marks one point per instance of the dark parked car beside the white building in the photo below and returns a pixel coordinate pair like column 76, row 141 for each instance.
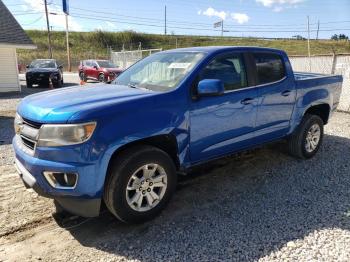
column 40, row 71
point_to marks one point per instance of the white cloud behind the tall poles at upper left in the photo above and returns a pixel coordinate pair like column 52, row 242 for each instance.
column 58, row 20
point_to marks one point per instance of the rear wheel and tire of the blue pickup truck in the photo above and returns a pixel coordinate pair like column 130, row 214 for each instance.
column 307, row 138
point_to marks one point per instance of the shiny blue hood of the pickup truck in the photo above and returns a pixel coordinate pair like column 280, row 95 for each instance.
column 58, row 106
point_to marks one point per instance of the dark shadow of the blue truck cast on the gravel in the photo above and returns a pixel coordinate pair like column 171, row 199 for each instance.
column 240, row 208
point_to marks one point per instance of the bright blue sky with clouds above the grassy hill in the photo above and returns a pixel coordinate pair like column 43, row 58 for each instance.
column 241, row 18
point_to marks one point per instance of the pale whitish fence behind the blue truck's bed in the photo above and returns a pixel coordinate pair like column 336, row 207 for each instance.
column 327, row 64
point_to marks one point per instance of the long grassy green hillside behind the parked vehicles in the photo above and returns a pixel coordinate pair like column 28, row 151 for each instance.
column 85, row 45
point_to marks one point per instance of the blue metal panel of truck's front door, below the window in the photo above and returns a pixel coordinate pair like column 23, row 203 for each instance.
column 222, row 124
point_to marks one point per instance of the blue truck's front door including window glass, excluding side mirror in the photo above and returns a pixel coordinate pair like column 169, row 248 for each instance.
column 221, row 124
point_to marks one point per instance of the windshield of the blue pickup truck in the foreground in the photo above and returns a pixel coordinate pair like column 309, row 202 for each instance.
column 161, row 71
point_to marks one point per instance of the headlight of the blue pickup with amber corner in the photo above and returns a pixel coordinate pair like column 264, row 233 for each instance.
column 65, row 134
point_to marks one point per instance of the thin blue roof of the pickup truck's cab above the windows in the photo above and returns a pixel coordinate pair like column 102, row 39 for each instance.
column 214, row 49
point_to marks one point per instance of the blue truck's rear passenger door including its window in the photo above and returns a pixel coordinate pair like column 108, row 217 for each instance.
column 276, row 96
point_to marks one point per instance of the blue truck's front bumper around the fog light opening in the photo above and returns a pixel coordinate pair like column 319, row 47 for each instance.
column 82, row 200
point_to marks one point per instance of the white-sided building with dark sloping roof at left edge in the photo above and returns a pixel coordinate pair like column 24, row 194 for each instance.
column 12, row 36
